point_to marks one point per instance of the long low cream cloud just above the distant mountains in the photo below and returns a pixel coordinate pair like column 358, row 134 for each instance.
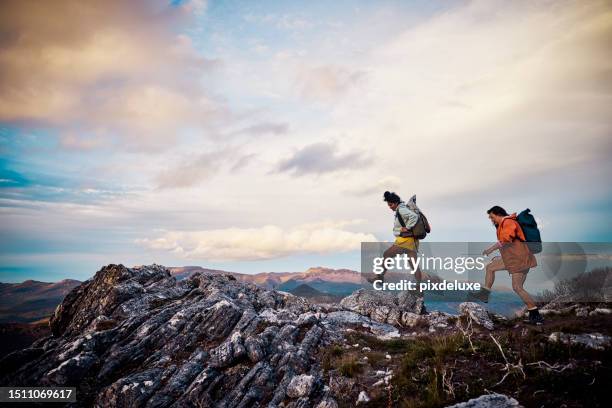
column 267, row 242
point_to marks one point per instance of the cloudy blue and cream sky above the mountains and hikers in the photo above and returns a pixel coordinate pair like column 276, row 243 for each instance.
column 258, row 136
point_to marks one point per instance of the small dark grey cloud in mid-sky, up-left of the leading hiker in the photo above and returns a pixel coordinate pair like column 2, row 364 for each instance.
column 321, row 158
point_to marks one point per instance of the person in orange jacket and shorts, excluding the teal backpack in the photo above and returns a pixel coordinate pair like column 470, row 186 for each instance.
column 516, row 258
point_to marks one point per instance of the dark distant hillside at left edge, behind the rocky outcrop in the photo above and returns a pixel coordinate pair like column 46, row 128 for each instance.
column 31, row 300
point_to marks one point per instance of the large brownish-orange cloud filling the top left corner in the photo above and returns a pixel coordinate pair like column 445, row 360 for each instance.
column 109, row 69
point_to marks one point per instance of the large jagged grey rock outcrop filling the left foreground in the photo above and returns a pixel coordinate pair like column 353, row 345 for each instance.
column 135, row 337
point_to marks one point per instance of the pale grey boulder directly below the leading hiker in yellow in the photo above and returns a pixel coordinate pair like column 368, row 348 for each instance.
column 383, row 306
